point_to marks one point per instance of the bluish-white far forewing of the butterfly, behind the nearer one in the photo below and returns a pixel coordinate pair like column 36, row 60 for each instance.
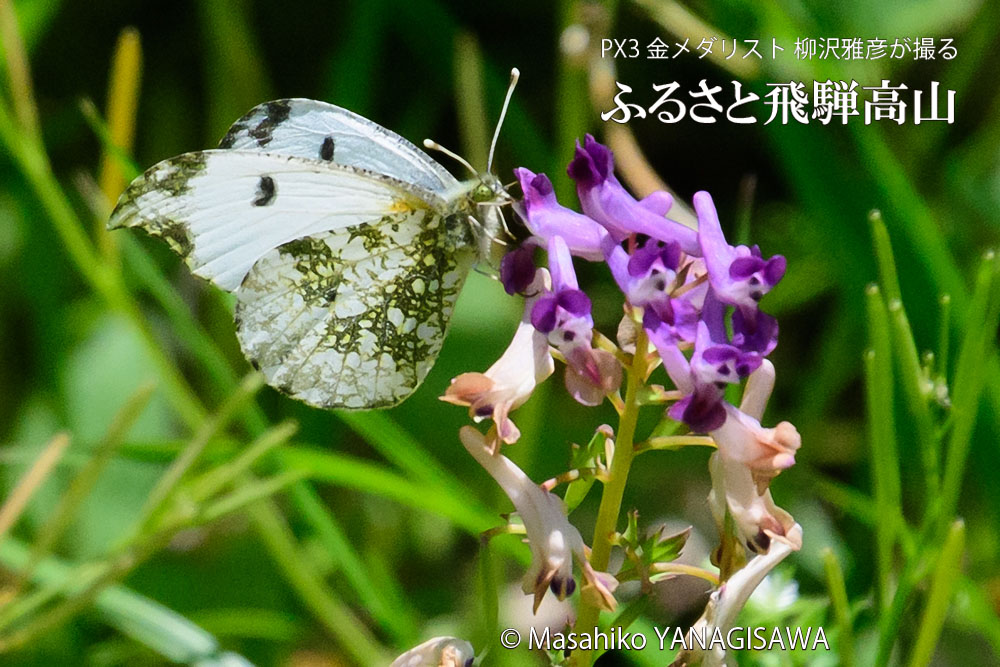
column 320, row 131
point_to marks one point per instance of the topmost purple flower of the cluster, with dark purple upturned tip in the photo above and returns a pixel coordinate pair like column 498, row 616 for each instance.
column 605, row 200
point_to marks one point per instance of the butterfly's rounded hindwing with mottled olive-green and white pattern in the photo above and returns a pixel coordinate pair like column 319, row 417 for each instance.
column 355, row 317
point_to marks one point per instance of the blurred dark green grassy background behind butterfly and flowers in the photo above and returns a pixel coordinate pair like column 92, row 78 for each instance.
column 379, row 549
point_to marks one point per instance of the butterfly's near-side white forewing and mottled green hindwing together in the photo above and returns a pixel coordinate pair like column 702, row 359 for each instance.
column 345, row 280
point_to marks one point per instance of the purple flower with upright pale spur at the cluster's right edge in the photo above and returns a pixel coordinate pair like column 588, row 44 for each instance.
column 739, row 275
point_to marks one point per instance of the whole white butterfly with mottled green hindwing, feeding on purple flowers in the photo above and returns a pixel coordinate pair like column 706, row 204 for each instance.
column 346, row 245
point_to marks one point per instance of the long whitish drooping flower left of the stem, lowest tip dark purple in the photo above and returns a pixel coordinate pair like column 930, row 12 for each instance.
column 553, row 540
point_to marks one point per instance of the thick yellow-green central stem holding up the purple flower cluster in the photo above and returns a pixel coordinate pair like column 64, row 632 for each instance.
column 614, row 489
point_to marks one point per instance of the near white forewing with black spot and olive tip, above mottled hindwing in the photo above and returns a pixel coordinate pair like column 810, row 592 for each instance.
column 222, row 210
